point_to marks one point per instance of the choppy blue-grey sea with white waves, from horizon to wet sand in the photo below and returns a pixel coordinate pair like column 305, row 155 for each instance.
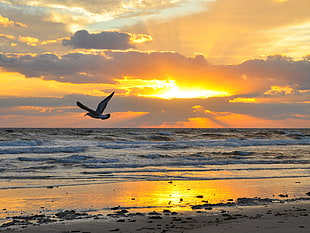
column 36, row 158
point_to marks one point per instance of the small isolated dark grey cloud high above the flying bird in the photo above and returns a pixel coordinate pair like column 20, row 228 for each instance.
column 104, row 40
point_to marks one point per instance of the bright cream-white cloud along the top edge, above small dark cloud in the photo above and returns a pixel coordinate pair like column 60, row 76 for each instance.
column 76, row 15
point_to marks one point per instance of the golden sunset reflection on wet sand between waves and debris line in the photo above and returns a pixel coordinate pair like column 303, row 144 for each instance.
column 143, row 195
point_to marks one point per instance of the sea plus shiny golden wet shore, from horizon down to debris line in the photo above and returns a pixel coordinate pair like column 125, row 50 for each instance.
column 56, row 168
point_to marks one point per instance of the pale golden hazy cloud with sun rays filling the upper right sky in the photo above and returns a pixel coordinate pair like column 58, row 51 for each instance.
column 229, row 32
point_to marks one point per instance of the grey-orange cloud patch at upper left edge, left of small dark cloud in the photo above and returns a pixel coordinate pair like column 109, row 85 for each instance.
column 39, row 29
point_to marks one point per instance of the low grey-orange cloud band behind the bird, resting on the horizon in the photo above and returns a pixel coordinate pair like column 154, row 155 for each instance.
column 211, row 112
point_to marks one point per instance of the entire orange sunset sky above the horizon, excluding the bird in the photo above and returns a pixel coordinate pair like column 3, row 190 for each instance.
column 172, row 63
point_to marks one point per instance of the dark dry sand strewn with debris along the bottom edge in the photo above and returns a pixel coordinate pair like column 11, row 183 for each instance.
column 289, row 216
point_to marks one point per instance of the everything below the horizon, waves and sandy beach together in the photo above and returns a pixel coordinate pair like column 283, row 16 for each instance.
column 154, row 180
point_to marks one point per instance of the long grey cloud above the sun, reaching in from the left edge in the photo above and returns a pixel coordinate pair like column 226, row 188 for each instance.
column 100, row 68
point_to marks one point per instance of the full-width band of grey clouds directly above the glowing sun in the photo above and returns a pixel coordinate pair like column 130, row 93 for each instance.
column 253, row 76
